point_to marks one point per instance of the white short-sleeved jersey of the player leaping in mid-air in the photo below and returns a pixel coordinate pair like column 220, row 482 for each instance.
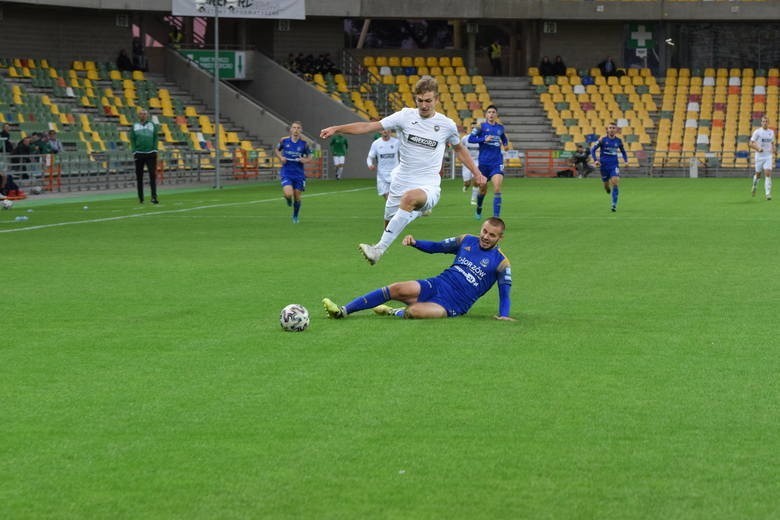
column 423, row 142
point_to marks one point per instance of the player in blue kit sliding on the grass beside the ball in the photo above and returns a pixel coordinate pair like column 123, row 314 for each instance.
column 478, row 264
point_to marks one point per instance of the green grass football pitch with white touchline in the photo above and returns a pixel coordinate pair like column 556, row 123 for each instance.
column 143, row 372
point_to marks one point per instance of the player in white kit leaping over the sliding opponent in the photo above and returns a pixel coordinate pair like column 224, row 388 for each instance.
column 416, row 183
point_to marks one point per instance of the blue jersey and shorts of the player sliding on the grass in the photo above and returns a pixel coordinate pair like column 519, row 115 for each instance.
column 471, row 275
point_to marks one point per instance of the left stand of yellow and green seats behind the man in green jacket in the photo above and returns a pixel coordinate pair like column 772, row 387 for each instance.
column 92, row 106
